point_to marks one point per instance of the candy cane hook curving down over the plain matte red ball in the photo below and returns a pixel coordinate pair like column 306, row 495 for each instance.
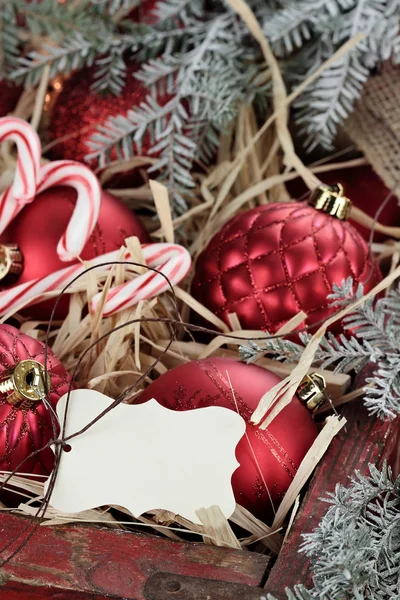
column 87, row 207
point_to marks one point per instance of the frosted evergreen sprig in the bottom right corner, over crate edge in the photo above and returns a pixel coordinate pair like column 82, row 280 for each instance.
column 355, row 549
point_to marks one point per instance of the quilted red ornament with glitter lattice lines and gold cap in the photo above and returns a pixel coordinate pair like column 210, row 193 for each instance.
column 271, row 262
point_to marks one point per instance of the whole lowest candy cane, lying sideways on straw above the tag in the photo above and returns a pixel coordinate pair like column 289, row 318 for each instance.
column 172, row 260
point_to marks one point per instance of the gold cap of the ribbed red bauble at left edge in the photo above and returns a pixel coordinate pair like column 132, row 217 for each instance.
column 25, row 384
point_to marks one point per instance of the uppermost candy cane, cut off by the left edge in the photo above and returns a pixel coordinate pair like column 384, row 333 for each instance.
column 23, row 189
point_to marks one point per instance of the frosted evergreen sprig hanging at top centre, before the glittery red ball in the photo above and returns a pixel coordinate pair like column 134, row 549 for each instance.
column 204, row 89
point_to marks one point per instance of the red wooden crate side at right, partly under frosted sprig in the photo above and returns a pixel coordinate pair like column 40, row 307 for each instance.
column 366, row 440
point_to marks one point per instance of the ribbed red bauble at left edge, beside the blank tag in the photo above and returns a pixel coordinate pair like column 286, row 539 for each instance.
column 26, row 429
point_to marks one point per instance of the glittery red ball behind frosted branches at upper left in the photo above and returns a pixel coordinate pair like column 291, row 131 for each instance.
column 78, row 110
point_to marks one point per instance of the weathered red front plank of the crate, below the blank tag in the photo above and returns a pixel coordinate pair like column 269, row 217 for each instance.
column 117, row 563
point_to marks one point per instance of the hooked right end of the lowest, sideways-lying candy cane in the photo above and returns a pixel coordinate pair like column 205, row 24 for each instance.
column 170, row 259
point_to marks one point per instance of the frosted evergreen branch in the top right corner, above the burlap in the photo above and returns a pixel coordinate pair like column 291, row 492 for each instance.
column 318, row 28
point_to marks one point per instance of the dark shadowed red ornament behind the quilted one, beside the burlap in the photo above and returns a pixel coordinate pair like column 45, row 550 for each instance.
column 367, row 192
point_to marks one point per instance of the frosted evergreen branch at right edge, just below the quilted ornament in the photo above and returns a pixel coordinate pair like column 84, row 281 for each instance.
column 372, row 337
